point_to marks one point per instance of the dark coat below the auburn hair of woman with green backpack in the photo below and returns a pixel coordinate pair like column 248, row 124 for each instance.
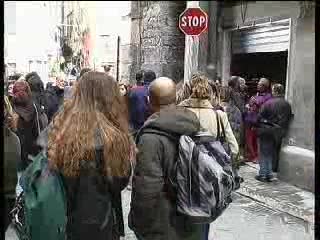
column 94, row 204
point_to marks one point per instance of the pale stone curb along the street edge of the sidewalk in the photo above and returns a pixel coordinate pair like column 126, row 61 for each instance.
column 273, row 203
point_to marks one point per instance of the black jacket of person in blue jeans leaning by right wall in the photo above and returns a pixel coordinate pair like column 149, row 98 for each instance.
column 274, row 117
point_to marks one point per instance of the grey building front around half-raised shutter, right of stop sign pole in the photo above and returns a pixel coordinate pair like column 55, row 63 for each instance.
column 297, row 23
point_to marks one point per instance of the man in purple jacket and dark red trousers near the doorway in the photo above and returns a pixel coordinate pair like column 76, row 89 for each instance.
column 251, row 117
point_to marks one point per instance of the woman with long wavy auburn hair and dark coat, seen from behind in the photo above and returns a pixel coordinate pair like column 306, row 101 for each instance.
column 89, row 144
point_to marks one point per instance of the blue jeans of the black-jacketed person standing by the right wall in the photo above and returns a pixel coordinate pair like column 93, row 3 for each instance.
column 267, row 148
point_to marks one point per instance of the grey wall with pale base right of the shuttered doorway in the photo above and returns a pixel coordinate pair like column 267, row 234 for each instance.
column 298, row 166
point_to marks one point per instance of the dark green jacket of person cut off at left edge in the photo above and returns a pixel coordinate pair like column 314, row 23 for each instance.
column 12, row 155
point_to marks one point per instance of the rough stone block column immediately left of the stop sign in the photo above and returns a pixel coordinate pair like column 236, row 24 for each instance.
column 156, row 41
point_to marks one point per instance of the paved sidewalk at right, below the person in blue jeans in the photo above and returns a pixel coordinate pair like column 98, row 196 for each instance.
column 277, row 195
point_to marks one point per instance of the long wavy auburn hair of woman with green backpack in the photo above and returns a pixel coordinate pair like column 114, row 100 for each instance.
column 96, row 105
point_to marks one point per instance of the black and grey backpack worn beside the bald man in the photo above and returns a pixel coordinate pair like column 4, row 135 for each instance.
column 203, row 178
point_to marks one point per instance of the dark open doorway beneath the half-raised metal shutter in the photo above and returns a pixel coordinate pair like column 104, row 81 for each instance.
column 252, row 66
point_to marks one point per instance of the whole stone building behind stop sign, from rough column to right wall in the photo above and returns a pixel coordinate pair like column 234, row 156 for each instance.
column 267, row 28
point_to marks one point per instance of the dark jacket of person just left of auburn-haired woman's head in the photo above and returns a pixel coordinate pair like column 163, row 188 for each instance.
column 55, row 98
